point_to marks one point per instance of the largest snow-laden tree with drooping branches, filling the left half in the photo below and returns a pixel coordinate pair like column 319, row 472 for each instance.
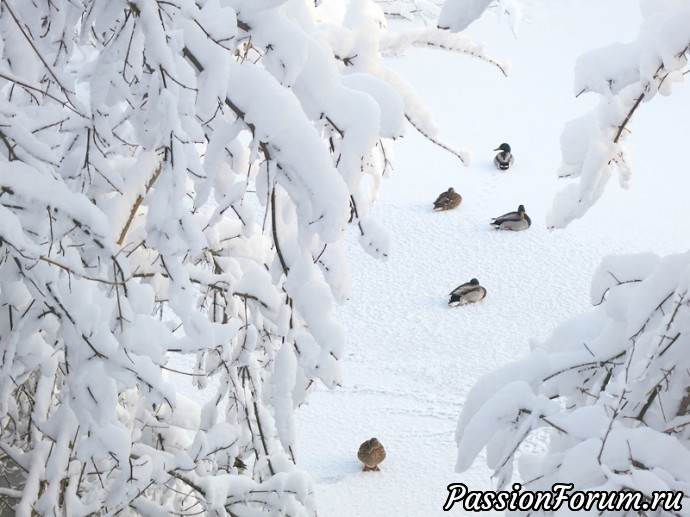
column 175, row 179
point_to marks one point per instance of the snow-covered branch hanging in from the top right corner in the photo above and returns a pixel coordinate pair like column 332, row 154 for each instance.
column 625, row 76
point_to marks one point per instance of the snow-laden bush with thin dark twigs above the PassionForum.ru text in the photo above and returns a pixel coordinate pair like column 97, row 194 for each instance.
column 609, row 389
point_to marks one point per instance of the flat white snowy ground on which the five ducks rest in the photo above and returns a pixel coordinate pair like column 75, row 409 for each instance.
column 411, row 359
